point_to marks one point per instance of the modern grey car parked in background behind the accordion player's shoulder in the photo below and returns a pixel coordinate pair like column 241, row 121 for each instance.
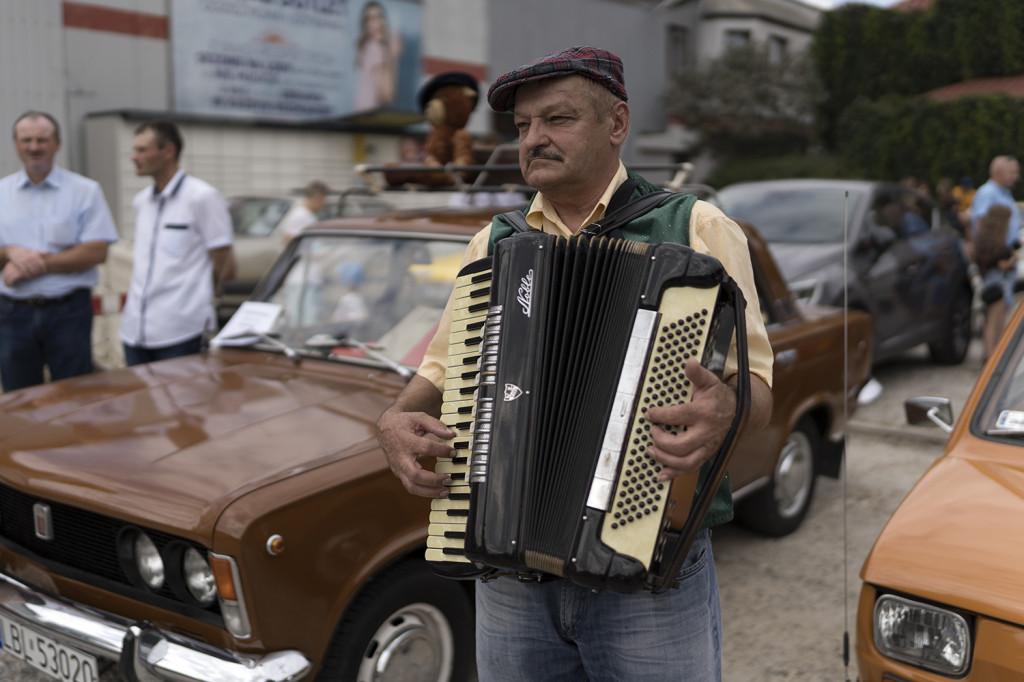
column 877, row 247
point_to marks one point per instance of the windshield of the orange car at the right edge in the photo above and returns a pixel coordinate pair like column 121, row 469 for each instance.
column 1001, row 411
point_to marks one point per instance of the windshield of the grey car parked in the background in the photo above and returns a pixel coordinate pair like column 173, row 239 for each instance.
column 794, row 215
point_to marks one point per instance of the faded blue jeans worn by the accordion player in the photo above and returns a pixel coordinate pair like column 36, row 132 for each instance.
column 560, row 631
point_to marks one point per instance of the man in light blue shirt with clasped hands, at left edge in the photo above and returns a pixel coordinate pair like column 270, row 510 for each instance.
column 55, row 231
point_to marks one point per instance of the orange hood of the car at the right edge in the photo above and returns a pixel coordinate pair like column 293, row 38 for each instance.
column 956, row 539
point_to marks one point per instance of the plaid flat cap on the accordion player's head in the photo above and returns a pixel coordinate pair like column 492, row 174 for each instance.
column 593, row 63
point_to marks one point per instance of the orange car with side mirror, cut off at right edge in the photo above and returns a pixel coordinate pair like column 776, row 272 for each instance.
column 942, row 598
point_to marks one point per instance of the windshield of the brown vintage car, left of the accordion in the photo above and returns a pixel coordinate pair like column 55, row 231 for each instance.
column 389, row 292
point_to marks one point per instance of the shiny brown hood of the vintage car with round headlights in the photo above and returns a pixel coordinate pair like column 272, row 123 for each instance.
column 173, row 444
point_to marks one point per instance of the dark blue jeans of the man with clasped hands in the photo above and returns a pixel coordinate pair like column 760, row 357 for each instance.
column 58, row 336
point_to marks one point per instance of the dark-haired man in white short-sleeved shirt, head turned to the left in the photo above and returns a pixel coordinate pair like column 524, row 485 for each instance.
column 183, row 251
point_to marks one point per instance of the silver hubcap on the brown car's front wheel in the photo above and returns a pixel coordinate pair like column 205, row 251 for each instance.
column 414, row 644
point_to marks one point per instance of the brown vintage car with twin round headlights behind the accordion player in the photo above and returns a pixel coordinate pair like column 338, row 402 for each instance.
column 230, row 516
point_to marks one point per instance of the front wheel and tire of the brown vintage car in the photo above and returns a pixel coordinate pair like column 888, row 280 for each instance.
column 409, row 624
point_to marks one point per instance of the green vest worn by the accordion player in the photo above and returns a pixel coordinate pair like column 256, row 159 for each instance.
column 668, row 223
